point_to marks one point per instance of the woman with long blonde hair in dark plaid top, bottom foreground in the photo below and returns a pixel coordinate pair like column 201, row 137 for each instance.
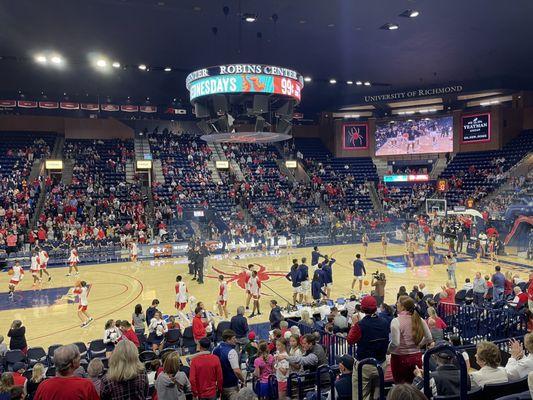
column 126, row 377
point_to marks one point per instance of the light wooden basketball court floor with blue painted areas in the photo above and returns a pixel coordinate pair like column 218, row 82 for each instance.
column 49, row 314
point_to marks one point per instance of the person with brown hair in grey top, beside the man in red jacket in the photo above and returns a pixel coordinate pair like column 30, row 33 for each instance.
column 171, row 384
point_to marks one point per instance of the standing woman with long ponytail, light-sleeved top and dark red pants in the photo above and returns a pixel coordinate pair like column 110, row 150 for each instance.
column 409, row 333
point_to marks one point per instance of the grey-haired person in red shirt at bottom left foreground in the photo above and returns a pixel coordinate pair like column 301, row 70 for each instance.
column 66, row 386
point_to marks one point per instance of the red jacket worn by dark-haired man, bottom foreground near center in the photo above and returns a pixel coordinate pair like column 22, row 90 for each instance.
column 205, row 376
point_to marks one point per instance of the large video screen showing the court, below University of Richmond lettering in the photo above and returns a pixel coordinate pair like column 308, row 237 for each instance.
column 414, row 136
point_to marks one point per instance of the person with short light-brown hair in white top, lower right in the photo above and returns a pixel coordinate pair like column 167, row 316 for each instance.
column 488, row 357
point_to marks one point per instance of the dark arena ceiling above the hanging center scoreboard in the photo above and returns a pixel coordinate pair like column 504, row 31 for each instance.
column 484, row 42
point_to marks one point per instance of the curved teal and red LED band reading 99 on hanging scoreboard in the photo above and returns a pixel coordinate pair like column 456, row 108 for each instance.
column 245, row 83
